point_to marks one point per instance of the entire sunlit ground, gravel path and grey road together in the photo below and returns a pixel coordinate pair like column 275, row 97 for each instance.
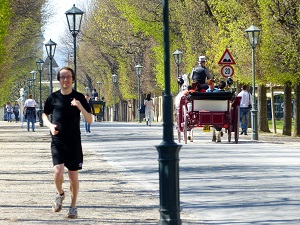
column 115, row 190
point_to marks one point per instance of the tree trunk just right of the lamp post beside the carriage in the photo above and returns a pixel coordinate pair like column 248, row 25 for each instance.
column 262, row 109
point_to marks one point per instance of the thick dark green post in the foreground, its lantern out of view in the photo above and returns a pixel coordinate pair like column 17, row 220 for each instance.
column 168, row 150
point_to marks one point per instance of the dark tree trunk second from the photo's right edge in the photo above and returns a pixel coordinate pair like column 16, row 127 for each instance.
column 287, row 110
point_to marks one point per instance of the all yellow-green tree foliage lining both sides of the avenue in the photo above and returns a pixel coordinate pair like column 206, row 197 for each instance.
column 117, row 35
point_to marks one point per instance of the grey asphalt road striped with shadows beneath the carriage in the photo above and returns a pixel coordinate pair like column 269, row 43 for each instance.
column 252, row 182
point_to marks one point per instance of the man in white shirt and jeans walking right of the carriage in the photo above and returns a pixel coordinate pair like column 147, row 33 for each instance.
column 245, row 106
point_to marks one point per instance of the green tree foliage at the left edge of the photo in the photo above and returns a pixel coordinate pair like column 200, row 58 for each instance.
column 20, row 33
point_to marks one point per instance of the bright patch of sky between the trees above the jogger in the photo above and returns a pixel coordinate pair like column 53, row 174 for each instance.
column 57, row 24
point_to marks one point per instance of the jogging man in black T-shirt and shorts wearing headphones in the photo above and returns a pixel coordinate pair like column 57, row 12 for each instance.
column 65, row 106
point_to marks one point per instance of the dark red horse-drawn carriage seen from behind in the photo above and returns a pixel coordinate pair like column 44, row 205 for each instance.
column 216, row 109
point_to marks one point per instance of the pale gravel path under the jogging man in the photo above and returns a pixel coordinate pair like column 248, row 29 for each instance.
column 27, row 190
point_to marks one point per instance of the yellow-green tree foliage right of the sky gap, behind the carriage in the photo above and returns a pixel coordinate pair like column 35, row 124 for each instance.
column 129, row 32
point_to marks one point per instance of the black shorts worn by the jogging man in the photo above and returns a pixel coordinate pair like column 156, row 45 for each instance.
column 69, row 154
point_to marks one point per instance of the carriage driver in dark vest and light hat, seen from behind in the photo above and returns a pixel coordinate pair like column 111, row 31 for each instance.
column 200, row 73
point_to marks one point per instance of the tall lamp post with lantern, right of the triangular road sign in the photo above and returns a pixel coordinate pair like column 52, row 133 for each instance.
column 252, row 34
